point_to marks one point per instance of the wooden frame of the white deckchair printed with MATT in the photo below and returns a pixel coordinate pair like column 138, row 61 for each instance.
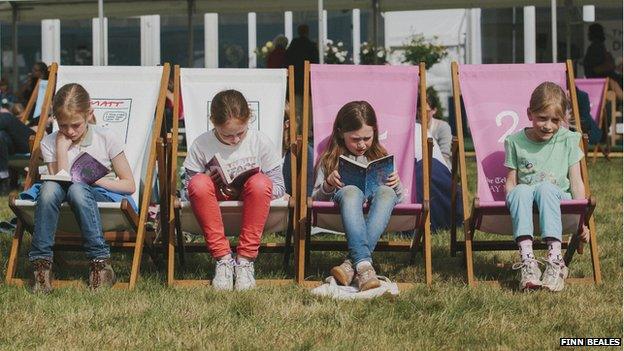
column 128, row 240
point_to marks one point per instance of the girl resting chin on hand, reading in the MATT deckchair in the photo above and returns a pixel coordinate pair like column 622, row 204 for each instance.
column 72, row 110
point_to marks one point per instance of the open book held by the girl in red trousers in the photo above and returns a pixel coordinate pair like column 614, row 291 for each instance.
column 233, row 174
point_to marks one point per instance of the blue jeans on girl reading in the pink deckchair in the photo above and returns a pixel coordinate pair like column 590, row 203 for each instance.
column 363, row 234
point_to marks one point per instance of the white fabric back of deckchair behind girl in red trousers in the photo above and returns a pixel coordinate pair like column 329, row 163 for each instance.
column 264, row 89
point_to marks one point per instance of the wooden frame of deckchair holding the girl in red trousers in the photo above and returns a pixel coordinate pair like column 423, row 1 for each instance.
column 173, row 225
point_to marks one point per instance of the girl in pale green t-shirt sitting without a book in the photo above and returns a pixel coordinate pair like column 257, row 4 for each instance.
column 543, row 168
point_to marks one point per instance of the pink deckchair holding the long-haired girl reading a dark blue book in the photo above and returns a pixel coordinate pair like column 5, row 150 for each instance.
column 392, row 91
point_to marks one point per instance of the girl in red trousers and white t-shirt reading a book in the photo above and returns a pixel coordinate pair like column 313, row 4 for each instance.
column 232, row 141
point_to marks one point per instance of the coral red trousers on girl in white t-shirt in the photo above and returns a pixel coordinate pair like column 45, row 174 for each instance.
column 256, row 196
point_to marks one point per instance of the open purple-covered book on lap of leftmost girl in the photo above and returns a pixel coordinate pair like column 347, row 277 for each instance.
column 85, row 169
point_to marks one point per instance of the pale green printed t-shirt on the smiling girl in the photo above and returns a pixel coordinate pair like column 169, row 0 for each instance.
column 537, row 162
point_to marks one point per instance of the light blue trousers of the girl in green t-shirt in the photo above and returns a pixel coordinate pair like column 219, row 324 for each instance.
column 548, row 198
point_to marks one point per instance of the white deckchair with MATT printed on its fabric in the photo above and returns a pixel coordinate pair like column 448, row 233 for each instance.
column 129, row 100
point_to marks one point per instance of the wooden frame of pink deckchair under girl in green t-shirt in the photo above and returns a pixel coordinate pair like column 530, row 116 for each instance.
column 459, row 178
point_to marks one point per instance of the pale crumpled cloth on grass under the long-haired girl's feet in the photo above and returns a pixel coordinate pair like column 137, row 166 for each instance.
column 340, row 292
